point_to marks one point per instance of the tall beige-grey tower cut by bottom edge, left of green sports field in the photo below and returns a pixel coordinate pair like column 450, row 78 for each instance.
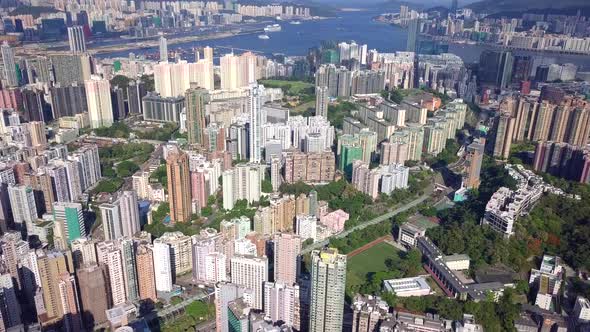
column 328, row 281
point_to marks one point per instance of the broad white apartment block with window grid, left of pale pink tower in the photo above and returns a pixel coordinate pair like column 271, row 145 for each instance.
column 251, row 272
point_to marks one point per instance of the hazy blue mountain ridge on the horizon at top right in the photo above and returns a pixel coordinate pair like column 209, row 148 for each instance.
column 495, row 6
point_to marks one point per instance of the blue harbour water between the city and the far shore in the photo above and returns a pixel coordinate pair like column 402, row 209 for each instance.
column 297, row 39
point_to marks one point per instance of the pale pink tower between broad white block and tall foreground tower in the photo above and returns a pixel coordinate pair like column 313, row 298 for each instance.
column 287, row 248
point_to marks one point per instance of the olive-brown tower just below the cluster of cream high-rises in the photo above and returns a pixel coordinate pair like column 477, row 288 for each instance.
column 195, row 115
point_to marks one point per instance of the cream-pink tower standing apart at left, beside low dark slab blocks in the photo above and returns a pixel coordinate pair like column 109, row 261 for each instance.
column 98, row 98
